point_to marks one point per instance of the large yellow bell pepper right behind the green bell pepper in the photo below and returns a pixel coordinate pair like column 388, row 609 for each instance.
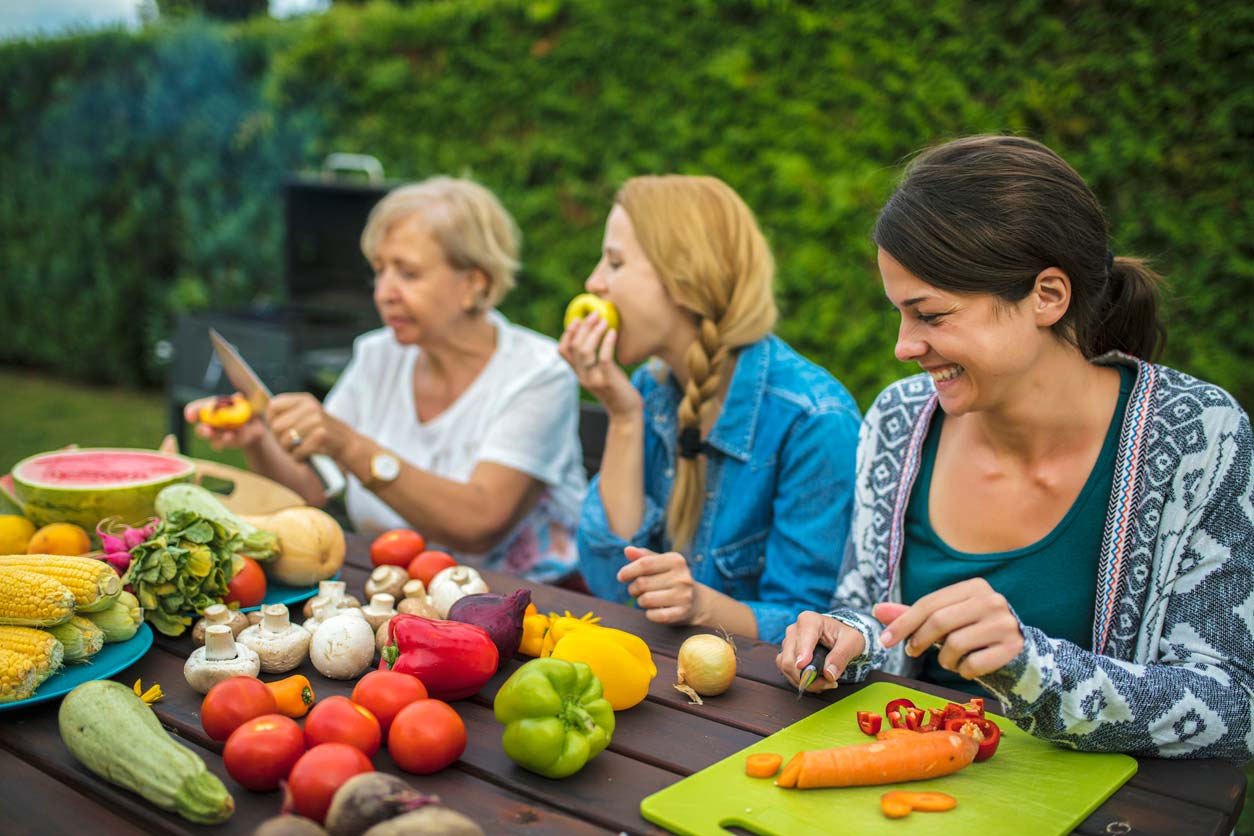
column 620, row 660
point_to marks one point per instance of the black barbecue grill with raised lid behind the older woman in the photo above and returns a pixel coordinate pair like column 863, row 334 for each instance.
column 304, row 344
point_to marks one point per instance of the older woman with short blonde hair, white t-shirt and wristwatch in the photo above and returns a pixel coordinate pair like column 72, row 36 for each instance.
column 451, row 419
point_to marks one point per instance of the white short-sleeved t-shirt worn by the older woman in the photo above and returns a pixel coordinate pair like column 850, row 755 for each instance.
column 522, row 412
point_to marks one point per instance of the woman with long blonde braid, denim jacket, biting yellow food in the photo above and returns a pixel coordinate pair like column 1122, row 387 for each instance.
column 725, row 488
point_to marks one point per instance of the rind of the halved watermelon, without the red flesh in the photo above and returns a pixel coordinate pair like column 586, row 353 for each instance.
column 43, row 503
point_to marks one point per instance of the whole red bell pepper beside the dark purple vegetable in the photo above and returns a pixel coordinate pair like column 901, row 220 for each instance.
column 452, row 659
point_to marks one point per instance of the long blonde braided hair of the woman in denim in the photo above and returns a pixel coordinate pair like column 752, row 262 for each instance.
column 707, row 248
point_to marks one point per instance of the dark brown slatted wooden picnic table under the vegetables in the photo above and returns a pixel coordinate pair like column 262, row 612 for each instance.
column 45, row 790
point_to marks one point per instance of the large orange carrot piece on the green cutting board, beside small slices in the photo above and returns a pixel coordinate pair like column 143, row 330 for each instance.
column 892, row 761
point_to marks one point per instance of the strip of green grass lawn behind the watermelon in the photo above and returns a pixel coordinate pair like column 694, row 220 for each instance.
column 45, row 414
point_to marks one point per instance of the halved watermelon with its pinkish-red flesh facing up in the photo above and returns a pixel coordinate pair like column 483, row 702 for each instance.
column 85, row 487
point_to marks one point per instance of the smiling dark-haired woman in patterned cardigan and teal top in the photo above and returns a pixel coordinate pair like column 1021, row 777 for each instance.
column 1045, row 516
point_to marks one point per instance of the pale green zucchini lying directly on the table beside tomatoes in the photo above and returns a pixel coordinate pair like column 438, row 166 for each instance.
column 106, row 726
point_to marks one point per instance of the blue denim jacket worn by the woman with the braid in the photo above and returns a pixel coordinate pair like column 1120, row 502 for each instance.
column 779, row 488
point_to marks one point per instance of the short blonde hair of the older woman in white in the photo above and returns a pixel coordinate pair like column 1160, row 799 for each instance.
column 472, row 227
